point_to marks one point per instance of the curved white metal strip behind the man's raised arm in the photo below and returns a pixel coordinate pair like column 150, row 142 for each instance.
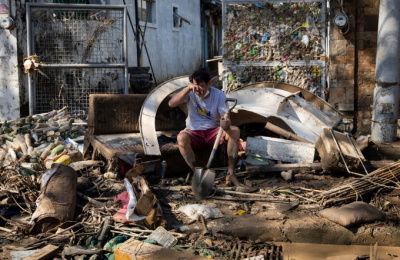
column 149, row 110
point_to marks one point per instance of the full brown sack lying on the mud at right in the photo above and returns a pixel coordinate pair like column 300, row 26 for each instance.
column 352, row 214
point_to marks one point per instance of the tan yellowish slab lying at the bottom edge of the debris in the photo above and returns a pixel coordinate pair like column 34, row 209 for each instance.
column 138, row 250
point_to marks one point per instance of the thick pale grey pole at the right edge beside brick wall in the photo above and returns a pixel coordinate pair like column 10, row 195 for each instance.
column 385, row 105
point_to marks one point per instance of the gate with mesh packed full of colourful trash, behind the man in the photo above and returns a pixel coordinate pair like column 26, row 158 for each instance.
column 275, row 40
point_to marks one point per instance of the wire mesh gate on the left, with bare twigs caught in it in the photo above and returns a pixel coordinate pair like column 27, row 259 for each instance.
column 82, row 50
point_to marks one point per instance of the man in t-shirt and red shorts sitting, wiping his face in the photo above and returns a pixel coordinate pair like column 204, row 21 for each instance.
column 206, row 109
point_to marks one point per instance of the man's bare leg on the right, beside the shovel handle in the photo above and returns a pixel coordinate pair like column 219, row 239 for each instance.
column 232, row 137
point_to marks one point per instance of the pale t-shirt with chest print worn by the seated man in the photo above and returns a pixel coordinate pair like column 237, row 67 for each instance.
column 204, row 113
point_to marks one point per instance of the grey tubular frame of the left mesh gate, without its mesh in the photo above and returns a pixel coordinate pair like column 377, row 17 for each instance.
column 30, row 44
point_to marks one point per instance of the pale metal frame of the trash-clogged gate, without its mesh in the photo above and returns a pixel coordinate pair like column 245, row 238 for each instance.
column 321, row 63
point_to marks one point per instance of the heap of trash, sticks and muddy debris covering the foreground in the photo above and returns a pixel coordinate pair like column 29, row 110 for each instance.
column 55, row 203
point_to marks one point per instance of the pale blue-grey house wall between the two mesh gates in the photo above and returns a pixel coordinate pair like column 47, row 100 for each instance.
column 173, row 52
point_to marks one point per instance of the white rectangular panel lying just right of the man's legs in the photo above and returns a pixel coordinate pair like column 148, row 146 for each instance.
column 279, row 149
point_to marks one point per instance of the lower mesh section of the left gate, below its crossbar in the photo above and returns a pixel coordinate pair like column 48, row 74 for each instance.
column 71, row 87
